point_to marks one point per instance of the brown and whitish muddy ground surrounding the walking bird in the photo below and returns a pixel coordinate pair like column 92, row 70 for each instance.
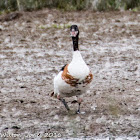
column 33, row 48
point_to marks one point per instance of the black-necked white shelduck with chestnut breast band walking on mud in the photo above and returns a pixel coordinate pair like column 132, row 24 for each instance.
column 74, row 78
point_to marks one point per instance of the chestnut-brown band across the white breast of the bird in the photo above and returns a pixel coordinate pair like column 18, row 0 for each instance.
column 73, row 81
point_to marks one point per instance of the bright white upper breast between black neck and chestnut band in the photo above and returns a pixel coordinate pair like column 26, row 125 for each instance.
column 78, row 68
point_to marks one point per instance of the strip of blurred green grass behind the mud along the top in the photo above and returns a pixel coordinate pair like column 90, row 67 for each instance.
column 70, row 5
